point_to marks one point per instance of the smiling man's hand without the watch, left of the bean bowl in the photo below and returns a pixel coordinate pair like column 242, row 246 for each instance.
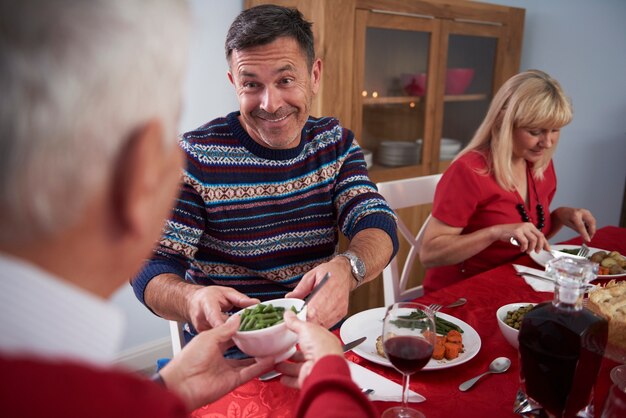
column 206, row 305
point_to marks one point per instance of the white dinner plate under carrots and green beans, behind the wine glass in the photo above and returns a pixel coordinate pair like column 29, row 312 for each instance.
column 370, row 324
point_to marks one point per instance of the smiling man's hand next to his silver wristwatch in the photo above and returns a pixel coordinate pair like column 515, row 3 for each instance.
column 330, row 305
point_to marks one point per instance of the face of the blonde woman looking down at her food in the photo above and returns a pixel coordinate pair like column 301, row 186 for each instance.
column 532, row 144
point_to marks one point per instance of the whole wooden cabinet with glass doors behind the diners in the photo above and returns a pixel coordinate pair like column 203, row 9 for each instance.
column 389, row 74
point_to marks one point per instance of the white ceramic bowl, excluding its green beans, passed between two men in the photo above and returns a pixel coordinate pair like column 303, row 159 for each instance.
column 275, row 341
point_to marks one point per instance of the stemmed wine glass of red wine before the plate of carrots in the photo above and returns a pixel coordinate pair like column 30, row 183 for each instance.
column 408, row 341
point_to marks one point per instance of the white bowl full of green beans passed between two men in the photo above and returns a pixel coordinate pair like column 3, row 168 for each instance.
column 262, row 331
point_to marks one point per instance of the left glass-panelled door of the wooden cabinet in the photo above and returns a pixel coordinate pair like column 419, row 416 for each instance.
column 393, row 90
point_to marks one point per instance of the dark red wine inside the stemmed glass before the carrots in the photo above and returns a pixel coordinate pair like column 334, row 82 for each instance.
column 407, row 353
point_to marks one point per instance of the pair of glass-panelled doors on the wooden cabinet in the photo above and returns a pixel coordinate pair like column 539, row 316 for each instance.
column 422, row 86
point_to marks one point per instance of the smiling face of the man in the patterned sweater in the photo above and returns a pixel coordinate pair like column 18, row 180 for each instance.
column 275, row 90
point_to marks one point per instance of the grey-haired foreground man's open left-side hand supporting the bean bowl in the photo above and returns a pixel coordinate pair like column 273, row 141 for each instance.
column 200, row 374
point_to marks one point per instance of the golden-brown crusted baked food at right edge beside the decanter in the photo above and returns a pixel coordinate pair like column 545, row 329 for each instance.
column 610, row 302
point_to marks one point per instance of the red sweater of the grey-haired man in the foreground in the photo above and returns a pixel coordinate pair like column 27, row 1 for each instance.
column 33, row 388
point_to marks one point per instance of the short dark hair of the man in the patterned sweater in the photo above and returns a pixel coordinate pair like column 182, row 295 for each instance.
column 263, row 24
